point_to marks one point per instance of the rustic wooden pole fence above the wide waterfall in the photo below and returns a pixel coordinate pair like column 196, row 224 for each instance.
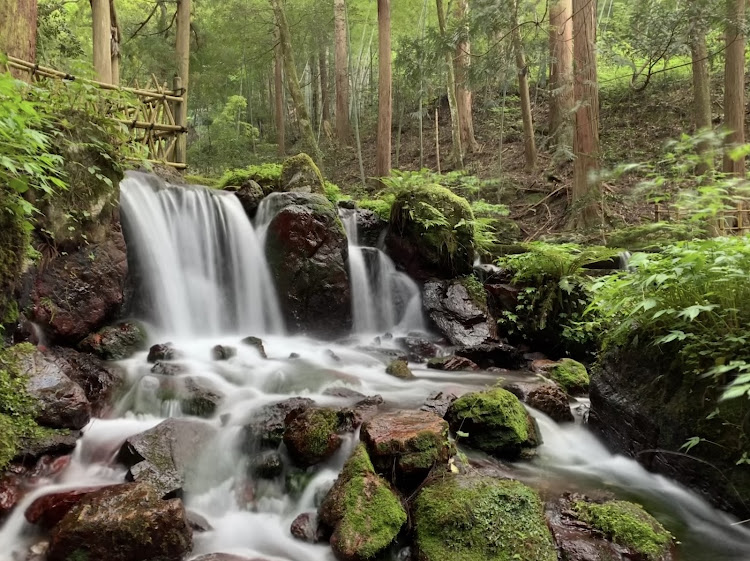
column 153, row 120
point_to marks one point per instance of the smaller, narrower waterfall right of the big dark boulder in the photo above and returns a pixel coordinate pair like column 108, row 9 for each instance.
column 383, row 298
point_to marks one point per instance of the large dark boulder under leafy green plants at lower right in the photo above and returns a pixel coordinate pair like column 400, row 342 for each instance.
column 641, row 407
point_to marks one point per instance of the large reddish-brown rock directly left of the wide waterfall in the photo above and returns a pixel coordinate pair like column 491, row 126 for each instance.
column 81, row 291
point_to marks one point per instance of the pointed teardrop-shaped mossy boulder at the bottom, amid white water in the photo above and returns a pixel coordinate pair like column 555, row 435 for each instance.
column 362, row 512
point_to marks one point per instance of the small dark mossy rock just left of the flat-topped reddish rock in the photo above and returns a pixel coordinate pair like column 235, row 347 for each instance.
column 311, row 435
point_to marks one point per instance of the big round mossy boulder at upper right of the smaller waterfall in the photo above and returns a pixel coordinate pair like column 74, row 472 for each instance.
column 431, row 233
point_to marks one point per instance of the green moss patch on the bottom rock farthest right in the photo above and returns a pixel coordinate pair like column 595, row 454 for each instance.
column 627, row 524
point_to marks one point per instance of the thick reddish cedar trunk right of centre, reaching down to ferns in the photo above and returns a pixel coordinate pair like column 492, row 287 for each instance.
column 586, row 93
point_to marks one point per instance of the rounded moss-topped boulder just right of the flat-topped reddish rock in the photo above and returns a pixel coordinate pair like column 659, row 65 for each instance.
column 495, row 422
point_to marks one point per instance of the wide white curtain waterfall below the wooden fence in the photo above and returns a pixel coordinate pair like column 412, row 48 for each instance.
column 204, row 269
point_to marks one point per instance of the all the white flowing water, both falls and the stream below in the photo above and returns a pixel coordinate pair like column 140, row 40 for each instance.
column 205, row 276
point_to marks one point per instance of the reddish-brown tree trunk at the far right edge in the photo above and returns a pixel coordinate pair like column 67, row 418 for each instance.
column 734, row 86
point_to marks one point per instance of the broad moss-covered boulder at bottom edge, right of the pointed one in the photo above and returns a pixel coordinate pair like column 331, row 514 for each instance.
column 471, row 518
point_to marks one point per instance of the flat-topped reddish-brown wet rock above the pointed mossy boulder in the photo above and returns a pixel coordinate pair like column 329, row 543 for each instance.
column 406, row 445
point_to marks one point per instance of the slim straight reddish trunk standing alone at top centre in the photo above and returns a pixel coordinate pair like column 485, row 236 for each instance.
column 385, row 97
